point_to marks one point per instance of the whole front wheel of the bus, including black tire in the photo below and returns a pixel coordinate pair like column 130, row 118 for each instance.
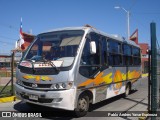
column 82, row 106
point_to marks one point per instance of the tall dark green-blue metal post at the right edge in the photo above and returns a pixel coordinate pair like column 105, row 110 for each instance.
column 154, row 74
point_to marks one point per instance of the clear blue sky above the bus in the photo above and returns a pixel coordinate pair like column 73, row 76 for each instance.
column 42, row 15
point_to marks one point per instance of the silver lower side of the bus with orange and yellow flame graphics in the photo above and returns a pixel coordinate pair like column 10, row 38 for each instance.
column 108, row 83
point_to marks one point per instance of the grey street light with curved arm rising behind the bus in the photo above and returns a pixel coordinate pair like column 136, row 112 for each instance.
column 128, row 15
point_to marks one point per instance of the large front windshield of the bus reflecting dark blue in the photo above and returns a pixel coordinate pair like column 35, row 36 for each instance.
column 56, row 46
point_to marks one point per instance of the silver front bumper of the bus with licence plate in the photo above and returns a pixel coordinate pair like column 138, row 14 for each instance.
column 63, row 99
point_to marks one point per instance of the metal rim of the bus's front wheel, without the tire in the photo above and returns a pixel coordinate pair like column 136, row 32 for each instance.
column 83, row 106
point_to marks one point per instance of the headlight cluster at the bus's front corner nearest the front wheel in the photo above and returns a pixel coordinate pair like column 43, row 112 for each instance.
column 64, row 85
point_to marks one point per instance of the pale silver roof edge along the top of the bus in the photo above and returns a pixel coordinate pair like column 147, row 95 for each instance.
column 90, row 28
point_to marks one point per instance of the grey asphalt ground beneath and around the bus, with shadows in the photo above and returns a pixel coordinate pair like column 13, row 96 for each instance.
column 136, row 101
